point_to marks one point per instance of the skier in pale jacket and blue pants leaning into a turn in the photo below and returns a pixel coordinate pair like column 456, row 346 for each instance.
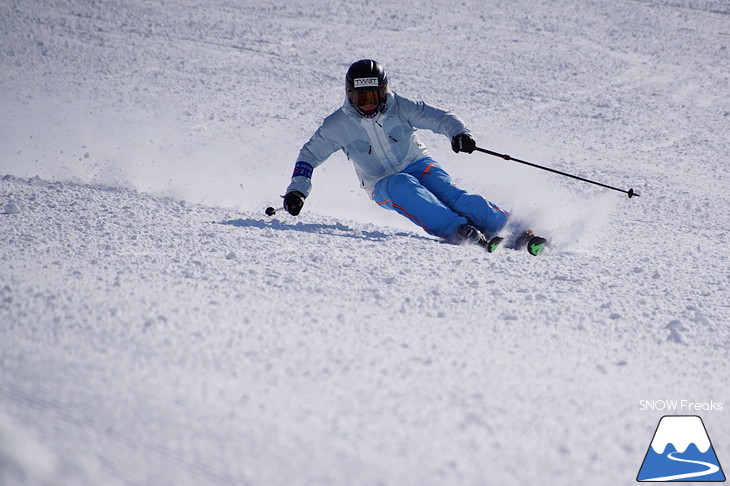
column 375, row 128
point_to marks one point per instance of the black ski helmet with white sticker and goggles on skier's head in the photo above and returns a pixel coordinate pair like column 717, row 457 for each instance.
column 366, row 84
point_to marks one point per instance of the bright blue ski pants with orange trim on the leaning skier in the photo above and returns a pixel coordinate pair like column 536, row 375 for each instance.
column 425, row 194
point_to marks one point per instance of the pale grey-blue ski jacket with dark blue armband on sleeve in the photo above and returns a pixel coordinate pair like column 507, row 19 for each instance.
column 379, row 146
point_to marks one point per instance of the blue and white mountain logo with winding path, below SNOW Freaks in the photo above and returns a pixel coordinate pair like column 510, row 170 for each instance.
column 680, row 451
